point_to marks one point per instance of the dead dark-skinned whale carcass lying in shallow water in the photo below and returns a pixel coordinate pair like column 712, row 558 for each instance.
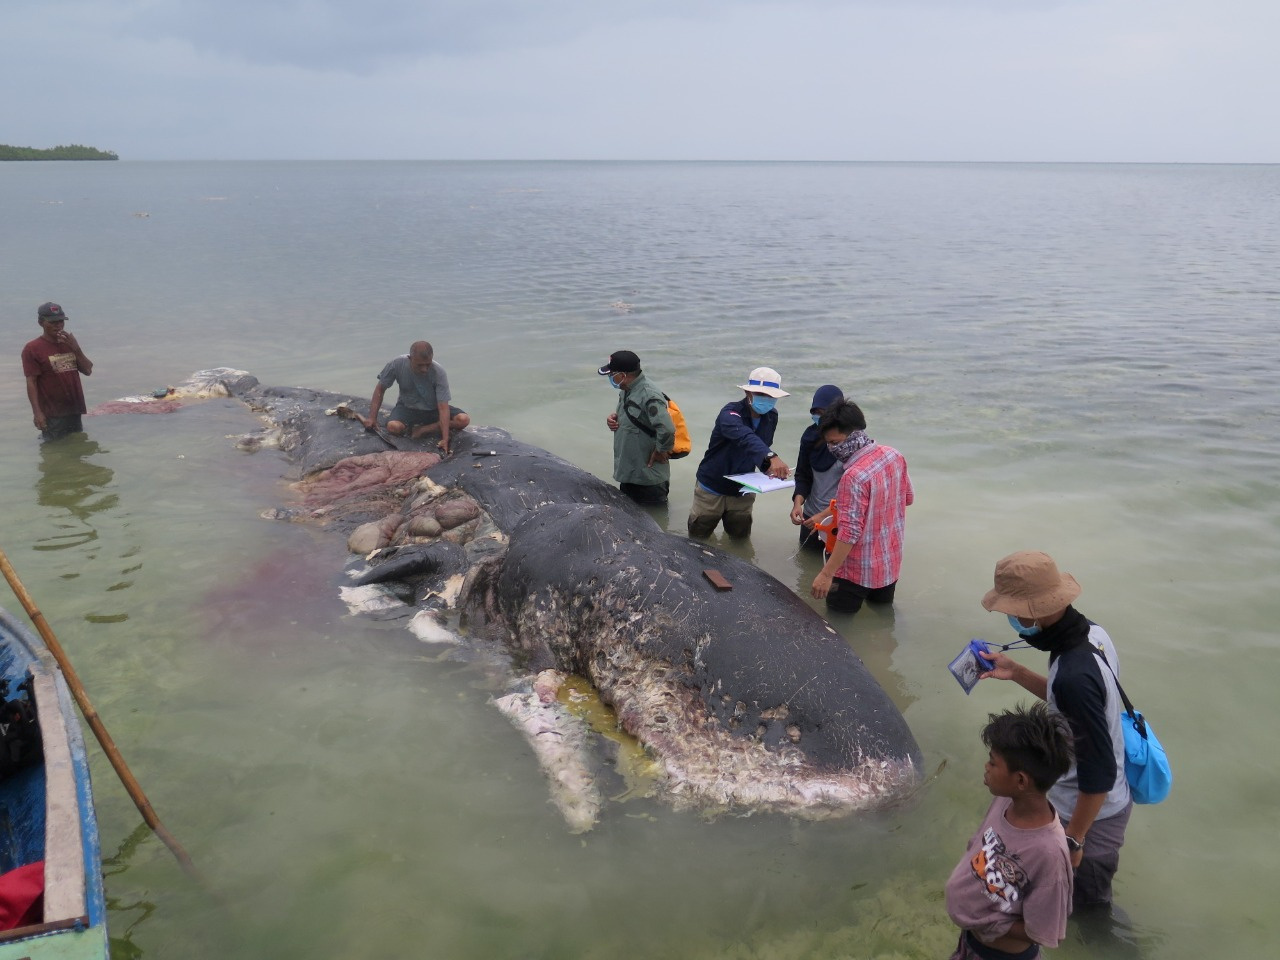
column 748, row 701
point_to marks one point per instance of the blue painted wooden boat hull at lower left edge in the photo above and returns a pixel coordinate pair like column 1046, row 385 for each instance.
column 47, row 813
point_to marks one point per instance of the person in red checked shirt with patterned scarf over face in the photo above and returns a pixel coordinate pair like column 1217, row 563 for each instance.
column 871, row 514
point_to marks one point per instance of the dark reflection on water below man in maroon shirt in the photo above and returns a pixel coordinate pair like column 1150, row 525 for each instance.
column 72, row 487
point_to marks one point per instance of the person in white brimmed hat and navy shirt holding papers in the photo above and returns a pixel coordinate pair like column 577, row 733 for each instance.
column 742, row 441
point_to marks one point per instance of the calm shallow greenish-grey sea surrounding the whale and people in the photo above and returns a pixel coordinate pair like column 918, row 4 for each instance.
column 1078, row 359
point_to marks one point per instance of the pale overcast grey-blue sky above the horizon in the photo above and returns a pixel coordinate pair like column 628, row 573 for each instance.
column 734, row 80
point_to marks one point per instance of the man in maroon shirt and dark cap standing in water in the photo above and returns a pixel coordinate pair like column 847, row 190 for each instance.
column 53, row 365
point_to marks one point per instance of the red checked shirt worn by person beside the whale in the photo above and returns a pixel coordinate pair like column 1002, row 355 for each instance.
column 871, row 510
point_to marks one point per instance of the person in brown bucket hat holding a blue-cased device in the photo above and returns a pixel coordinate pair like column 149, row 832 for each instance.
column 1092, row 799
